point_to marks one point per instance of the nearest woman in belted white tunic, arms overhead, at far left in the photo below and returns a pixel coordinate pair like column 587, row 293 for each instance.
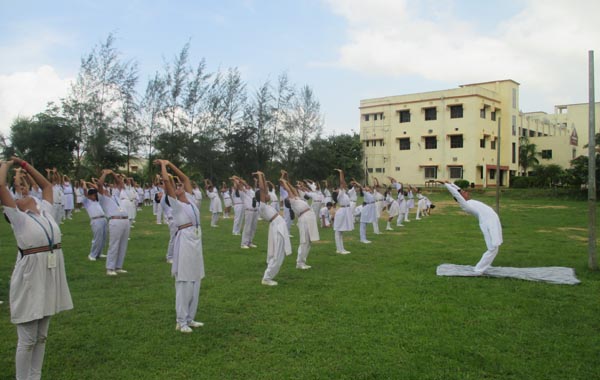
column 38, row 285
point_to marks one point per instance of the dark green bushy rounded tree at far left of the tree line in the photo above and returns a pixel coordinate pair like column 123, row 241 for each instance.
column 45, row 141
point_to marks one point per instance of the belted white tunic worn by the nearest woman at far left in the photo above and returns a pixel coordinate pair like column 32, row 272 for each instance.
column 37, row 291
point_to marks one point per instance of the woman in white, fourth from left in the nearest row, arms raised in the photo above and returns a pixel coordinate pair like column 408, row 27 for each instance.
column 307, row 222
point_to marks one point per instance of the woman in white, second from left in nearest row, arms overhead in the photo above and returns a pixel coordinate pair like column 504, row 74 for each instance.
column 188, row 262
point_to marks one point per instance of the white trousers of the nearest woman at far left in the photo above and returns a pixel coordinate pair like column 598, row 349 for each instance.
column 31, row 347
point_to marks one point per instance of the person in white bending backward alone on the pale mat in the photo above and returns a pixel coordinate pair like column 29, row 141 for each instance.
column 489, row 222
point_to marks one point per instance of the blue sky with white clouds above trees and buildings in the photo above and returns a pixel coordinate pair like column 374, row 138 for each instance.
column 345, row 50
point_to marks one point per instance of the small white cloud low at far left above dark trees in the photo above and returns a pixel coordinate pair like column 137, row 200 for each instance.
column 27, row 93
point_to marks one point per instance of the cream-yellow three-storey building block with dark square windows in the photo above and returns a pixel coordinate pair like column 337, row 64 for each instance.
column 449, row 134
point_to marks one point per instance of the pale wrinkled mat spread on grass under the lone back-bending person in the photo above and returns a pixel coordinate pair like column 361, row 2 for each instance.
column 553, row 275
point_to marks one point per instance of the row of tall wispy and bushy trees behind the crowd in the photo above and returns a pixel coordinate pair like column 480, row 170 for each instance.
column 209, row 123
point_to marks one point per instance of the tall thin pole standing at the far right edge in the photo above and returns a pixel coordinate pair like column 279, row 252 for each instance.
column 592, row 260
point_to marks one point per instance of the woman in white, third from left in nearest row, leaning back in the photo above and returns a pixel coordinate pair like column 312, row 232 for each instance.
column 279, row 244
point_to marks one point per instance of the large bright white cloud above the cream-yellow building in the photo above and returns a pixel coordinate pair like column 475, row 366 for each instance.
column 543, row 45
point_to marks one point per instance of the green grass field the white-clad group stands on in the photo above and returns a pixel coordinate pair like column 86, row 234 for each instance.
column 378, row 313
